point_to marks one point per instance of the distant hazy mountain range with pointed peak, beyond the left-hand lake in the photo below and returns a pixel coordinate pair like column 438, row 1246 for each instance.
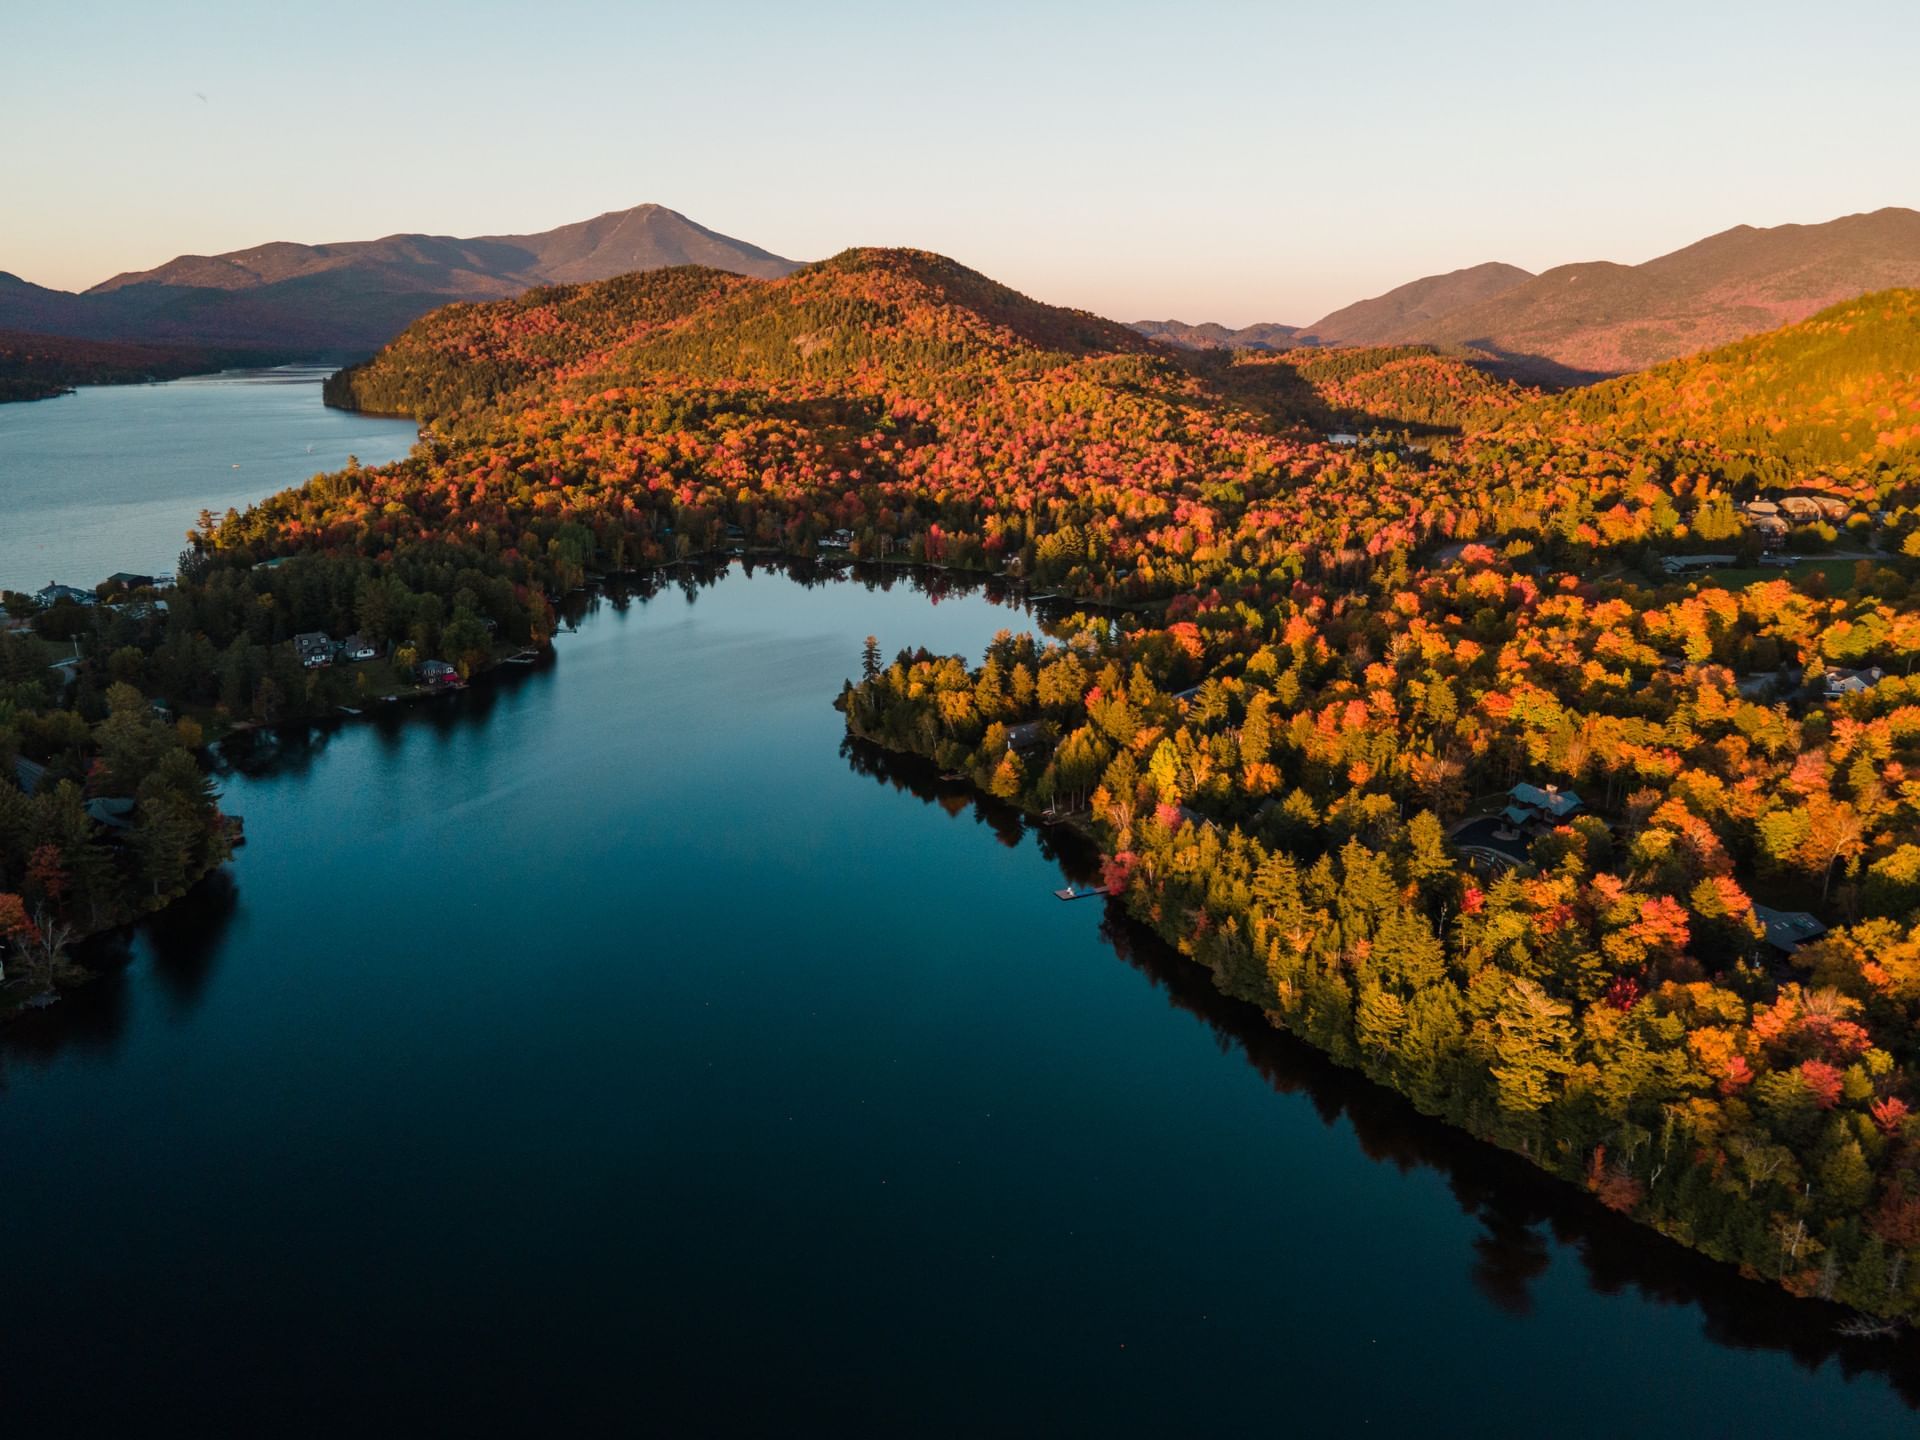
column 287, row 300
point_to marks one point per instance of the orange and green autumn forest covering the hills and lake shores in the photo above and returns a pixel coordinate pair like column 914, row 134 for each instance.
column 1452, row 725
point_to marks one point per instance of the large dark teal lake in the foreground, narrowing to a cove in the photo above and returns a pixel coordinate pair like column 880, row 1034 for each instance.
column 613, row 1051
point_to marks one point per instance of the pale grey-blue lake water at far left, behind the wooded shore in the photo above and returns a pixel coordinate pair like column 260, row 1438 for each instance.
column 112, row 477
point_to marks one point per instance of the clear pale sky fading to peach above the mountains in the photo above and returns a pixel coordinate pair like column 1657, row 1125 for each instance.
column 1199, row 160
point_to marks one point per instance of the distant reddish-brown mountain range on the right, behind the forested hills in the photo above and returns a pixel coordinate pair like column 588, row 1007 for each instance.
column 1595, row 320
